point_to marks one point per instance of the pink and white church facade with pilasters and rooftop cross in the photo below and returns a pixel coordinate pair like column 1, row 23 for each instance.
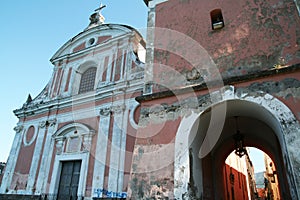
column 71, row 140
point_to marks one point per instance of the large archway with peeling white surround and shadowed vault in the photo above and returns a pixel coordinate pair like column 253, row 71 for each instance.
column 261, row 108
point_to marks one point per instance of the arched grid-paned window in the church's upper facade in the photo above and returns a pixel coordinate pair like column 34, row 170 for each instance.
column 87, row 81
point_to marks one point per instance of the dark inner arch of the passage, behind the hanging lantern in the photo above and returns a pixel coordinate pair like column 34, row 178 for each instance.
column 256, row 134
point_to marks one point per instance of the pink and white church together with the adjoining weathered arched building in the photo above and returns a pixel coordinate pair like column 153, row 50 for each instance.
column 156, row 118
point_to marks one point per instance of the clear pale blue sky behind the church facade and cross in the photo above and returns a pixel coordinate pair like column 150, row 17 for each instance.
column 31, row 32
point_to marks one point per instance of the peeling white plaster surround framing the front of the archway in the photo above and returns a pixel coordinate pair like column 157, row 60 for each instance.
column 287, row 134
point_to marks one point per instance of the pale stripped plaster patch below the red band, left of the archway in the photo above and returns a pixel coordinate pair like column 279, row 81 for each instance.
column 149, row 179
